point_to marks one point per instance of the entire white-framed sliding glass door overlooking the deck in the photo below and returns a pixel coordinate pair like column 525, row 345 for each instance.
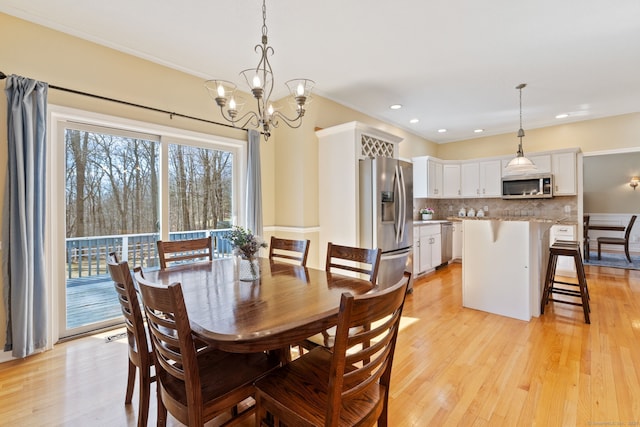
column 116, row 184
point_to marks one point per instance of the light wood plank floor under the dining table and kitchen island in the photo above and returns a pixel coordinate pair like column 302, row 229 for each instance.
column 453, row 366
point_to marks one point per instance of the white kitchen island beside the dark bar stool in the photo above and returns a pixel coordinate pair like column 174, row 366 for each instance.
column 504, row 265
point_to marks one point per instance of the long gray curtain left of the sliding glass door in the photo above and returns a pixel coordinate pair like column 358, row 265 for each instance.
column 23, row 217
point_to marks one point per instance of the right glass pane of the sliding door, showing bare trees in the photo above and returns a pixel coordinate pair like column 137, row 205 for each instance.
column 200, row 188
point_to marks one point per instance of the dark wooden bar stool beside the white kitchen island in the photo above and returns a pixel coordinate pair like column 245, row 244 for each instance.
column 569, row 248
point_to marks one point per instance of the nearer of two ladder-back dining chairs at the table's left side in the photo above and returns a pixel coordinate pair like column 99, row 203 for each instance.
column 195, row 386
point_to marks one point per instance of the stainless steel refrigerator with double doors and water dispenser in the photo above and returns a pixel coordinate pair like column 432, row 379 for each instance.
column 386, row 214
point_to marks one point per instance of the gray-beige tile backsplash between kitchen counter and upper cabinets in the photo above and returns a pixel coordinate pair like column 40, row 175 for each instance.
column 500, row 208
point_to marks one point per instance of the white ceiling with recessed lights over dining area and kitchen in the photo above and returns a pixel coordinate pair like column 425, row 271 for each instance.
column 452, row 64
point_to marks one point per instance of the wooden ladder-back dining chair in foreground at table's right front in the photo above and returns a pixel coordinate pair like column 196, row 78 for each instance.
column 349, row 384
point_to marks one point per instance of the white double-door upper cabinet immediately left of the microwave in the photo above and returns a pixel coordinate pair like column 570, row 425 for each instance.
column 481, row 179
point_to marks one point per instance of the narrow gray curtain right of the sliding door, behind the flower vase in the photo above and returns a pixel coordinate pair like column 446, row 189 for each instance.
column 254, row 184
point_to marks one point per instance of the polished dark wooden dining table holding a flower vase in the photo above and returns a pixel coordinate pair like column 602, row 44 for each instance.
column 286, row 305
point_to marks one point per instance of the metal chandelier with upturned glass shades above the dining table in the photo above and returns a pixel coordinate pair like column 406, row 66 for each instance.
column 260, row 83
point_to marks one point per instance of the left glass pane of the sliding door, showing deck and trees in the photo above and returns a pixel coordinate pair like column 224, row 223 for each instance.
column 111, row 184
